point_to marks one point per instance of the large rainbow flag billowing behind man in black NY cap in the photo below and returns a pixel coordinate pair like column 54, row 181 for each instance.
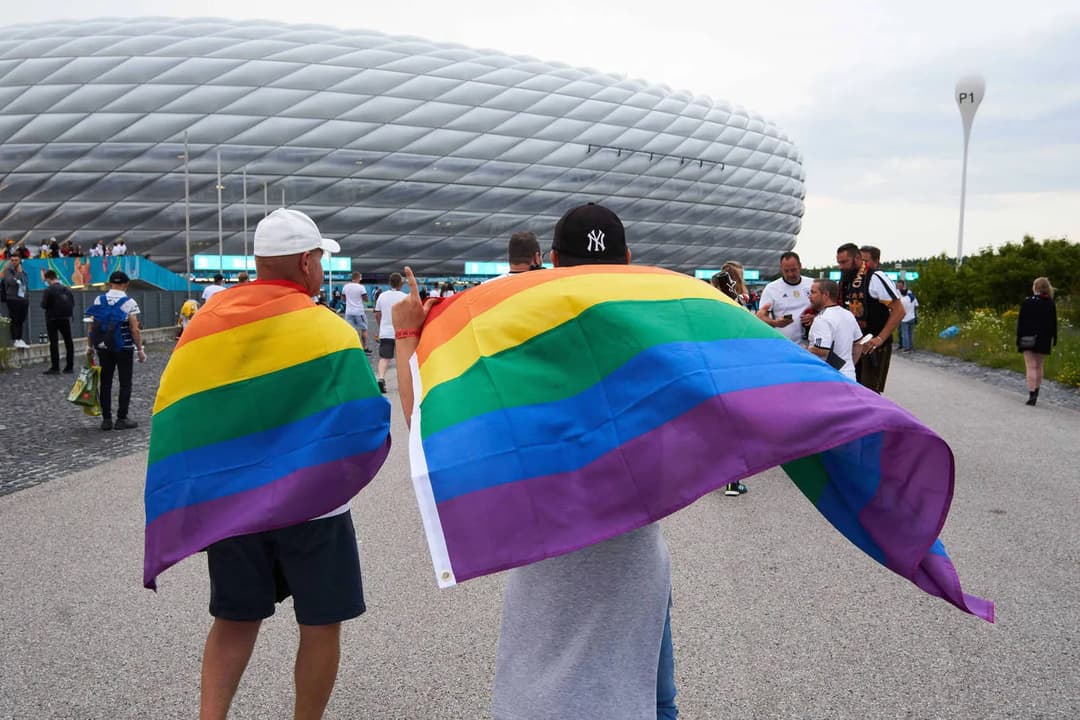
column 560, row 409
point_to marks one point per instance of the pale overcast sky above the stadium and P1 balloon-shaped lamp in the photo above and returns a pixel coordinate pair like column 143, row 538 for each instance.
column 863, row 88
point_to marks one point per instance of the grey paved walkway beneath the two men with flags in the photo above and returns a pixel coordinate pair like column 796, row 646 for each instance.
column 775, row 617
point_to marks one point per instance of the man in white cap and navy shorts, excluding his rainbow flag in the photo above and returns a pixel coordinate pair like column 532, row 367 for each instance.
column 316, row 562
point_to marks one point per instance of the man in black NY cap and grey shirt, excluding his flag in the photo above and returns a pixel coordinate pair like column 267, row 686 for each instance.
column 566, row 619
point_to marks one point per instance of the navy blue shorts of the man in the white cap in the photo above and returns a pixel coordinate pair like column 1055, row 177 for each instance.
column 316, row 562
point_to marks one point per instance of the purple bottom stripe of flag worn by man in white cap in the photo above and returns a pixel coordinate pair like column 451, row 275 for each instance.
column 295, row 498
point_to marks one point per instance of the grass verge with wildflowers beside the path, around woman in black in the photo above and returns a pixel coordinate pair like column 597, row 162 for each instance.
column 989, row 338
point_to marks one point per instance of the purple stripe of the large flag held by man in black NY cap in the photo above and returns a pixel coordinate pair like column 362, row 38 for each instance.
column 725, row 439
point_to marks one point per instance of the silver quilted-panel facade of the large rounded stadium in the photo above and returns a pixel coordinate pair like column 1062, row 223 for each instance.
column 402, row 150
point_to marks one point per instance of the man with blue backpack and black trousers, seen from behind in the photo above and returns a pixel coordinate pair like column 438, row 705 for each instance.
column 116, row 337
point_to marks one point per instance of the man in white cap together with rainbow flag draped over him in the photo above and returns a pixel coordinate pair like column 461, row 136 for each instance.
column 320, row 436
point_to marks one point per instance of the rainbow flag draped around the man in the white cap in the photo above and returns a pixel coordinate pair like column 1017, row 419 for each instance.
column 268, row 415
